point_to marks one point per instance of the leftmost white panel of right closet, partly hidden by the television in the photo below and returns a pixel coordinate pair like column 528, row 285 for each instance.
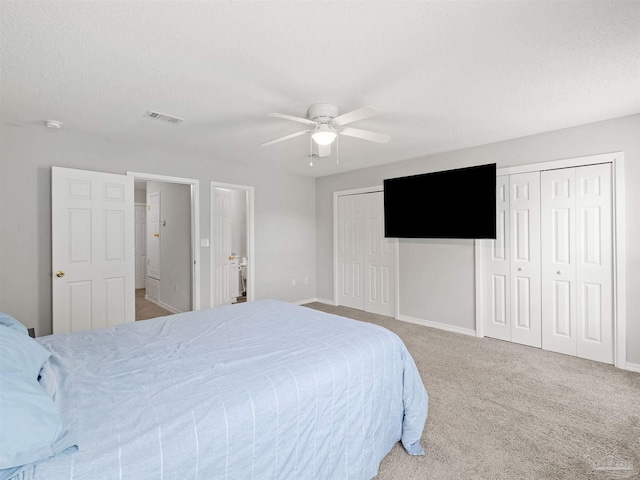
column 496, row 286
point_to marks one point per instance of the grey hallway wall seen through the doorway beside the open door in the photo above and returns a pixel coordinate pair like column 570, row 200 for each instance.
column 175, row 244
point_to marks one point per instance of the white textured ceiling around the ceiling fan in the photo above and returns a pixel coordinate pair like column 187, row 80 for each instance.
column 445, row 75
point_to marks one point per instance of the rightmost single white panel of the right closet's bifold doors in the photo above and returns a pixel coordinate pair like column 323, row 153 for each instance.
column 594, row 273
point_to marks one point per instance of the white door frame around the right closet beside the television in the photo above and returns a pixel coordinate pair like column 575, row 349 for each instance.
column 616, row 159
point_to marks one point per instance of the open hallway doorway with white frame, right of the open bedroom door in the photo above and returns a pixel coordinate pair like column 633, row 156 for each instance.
column 167, row 257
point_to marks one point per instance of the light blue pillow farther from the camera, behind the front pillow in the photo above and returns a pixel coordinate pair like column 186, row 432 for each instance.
column 21, row 353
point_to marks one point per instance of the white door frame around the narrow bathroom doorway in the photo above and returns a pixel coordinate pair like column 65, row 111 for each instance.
column 251, row 290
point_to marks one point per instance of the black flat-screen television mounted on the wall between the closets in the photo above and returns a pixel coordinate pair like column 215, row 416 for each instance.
column 457, row 203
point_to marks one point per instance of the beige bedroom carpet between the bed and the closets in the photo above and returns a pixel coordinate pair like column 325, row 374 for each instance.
column 498, row 410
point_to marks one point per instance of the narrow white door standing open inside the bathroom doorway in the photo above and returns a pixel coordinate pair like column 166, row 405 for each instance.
column 222, row 246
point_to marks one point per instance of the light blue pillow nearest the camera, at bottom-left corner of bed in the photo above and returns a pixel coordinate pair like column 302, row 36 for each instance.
column 31, row 428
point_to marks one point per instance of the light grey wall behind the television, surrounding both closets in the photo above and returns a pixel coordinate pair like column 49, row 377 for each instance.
column 437, row 276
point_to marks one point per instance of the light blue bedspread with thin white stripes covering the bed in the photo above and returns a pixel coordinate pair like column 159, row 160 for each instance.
column 262, row 390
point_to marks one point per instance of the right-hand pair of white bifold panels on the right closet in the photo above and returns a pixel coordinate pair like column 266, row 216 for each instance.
column 577, row 293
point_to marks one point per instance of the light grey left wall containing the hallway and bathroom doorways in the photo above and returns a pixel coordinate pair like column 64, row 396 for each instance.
column 284, row 214
